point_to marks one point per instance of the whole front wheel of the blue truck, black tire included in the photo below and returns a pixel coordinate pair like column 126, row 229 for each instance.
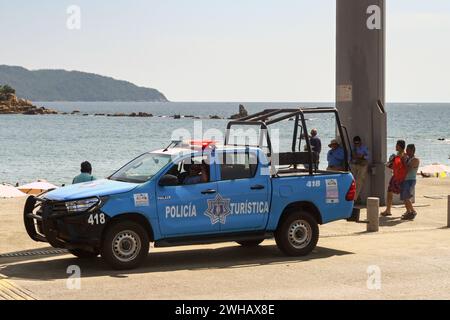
column 125, row 245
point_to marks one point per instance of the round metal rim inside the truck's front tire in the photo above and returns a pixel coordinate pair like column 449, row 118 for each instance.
column 126, row 246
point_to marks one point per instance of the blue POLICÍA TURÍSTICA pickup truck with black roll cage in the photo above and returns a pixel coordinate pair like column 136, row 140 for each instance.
column 197, row 192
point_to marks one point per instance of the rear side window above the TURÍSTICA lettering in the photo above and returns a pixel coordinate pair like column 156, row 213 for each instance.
column 237, row 166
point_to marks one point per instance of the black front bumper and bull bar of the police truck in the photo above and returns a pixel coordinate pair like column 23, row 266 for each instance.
column 49, row 221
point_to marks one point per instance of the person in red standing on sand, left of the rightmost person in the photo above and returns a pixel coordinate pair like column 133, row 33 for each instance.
column 397, row 164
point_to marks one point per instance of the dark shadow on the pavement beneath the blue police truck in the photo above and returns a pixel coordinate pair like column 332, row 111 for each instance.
column 198, row 259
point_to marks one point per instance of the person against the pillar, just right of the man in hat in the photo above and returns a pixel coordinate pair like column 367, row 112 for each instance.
column 360, row 164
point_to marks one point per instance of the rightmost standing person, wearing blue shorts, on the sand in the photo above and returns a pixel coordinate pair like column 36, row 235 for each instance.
column 408, row 186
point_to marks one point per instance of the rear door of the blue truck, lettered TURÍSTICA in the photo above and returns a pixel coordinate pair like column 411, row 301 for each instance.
column 243, row 190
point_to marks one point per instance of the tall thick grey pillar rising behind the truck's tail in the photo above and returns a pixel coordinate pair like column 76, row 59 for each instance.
column 360, row 83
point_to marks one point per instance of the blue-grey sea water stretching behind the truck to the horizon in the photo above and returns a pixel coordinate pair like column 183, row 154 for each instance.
column 52, row 147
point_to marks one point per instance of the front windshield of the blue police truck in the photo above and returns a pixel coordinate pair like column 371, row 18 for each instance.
column 142, row 169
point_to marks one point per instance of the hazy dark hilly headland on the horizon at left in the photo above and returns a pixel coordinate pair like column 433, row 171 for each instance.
column 61, row 85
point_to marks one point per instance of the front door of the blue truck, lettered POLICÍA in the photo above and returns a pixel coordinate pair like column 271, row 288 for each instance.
column 182, row 208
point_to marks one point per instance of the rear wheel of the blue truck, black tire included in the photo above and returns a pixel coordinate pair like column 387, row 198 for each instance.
column 297, row 234
